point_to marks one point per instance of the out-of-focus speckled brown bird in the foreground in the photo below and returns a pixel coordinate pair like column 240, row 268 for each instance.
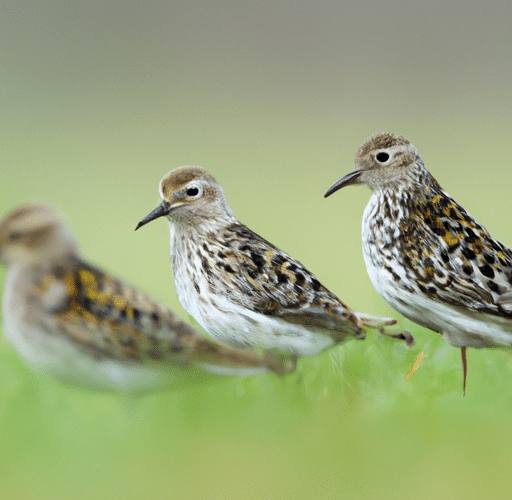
column 72, row 320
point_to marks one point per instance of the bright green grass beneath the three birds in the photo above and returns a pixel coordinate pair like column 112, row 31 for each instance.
column 347, row 424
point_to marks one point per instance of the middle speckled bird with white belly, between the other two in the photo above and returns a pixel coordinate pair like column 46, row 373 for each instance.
column 241, row 289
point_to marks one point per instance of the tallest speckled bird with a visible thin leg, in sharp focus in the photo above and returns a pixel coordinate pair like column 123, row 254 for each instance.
column 425, row 254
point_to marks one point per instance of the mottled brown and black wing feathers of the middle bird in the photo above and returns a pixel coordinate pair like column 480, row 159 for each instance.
column 268, row 281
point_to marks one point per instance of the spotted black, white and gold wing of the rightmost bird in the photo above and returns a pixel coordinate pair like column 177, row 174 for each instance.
column 465, row 265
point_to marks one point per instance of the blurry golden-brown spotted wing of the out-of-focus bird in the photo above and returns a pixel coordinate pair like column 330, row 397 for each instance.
column 114, row 319
